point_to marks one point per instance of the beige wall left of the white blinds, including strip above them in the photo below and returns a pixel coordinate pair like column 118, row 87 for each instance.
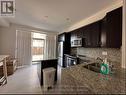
column 8, row 37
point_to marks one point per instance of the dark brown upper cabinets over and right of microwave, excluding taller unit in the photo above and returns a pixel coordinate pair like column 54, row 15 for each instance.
column 90, row 35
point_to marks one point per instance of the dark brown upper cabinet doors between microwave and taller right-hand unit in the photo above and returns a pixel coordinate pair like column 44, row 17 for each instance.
column 91, row 33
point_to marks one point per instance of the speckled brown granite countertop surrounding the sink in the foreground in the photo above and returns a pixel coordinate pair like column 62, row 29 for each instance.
column 96, row 83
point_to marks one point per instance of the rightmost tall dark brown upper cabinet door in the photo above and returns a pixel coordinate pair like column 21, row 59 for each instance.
column 114, row 28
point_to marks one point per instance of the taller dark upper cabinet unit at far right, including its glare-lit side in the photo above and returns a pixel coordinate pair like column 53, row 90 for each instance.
column 111, row 29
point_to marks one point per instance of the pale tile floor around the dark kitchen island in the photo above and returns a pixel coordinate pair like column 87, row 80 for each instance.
column 25, row 81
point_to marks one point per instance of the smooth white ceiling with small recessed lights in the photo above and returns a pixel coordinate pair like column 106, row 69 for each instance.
column 52, row 14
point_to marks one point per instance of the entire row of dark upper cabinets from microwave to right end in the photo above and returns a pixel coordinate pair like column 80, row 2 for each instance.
column 104, row 33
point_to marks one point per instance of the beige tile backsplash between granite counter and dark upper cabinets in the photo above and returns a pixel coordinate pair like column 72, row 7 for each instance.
column 113, row 54
